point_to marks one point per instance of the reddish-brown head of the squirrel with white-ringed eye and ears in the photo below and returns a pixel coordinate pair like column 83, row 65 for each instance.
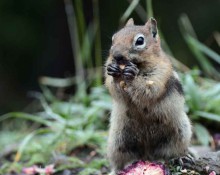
column 135, row 43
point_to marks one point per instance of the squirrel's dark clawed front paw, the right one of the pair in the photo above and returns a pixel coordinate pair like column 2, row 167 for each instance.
column 130, row 71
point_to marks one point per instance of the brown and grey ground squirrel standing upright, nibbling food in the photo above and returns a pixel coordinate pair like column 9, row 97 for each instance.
column 147, row 120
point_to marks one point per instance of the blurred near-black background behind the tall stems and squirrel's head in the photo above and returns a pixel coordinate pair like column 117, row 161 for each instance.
column 35, row 40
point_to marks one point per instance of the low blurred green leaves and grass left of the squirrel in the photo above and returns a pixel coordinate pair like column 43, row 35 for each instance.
column 57, row 130
